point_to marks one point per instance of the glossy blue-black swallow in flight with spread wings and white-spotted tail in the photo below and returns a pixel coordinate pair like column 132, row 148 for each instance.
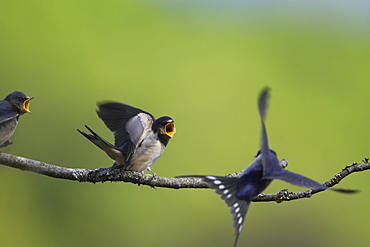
column 255, row 178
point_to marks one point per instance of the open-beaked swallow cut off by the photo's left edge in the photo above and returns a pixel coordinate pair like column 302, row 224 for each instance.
column 14, row 105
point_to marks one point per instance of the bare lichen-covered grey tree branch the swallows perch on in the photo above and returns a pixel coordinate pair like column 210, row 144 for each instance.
column 115, row 175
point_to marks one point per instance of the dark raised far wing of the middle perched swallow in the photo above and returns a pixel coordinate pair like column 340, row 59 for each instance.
column 115, row 116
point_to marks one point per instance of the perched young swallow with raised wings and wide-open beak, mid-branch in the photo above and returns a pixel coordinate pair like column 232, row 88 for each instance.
column 139, row 138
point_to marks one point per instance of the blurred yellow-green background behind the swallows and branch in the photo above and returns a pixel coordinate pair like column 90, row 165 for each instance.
column 202, row 63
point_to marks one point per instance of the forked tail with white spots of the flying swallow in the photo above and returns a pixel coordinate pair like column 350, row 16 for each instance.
column 226, row 187
